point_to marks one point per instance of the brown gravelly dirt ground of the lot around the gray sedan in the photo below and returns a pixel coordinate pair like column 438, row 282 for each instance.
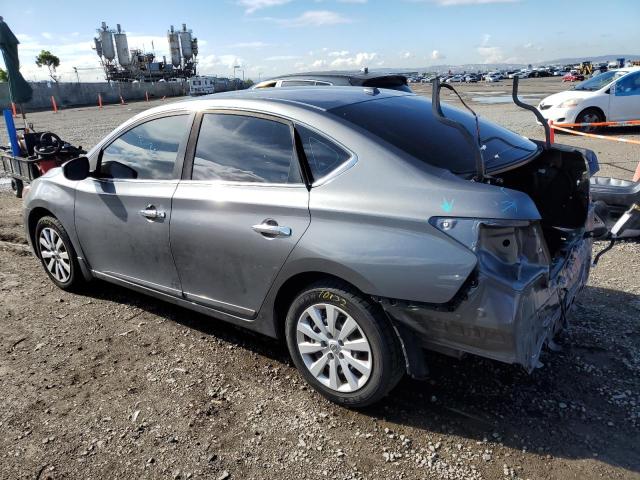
column 112, row 384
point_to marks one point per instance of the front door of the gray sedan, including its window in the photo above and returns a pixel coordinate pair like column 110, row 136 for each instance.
column 123, row 212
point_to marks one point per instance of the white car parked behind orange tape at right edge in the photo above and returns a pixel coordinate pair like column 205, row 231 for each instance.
column 610, row 96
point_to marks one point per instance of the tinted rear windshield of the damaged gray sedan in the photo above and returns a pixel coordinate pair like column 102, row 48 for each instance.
column 407, row 122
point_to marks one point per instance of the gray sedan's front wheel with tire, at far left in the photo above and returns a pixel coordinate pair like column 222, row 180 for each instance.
column 57, row 254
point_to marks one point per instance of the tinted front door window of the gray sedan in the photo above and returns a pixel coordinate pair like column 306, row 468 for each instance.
column 148, row 151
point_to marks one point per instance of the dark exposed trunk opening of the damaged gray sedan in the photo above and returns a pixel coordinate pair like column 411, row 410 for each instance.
column 557, row 180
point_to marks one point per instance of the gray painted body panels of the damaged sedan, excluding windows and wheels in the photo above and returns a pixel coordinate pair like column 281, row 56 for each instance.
column 368, row 224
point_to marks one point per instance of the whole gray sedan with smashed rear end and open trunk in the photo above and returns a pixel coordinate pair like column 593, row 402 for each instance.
column 348, row 221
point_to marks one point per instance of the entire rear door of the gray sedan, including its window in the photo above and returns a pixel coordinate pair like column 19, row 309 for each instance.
column 239, row 211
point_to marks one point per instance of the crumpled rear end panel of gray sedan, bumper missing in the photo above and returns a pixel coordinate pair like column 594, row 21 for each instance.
column 499, row 318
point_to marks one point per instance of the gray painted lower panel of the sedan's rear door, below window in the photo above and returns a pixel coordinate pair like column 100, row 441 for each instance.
column 221, row 260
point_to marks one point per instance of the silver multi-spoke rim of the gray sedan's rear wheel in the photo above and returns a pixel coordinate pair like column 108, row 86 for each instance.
column 334, row 348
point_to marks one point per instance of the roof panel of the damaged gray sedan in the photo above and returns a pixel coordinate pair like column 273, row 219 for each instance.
column 319, row 98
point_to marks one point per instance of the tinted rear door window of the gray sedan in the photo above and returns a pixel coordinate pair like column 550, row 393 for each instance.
column 244, row 149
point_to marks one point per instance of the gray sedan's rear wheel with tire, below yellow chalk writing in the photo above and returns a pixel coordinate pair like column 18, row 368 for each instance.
column 343, row 344
